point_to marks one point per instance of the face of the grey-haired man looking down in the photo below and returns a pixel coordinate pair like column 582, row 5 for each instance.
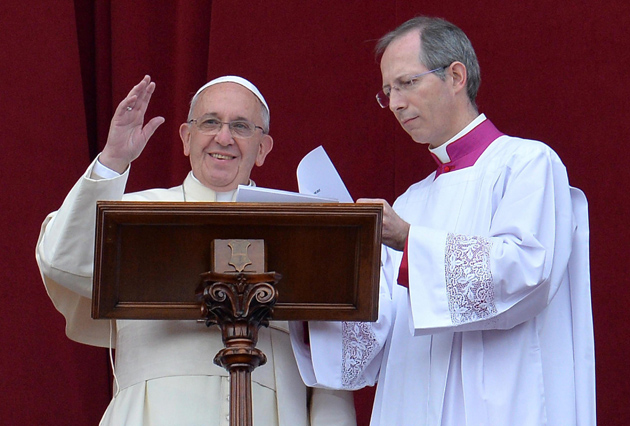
column 432, row 111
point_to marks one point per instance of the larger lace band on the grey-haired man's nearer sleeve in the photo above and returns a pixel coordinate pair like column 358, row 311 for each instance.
column 469, row 278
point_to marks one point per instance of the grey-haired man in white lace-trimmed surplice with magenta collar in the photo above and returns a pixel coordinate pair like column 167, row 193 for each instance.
column 484, row 315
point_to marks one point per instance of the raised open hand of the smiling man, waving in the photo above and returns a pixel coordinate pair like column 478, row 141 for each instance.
column 127, row 136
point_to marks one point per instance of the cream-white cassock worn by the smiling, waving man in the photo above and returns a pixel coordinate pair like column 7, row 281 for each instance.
column 164, row 369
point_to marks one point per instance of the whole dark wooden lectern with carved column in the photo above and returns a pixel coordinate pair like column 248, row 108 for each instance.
column 237, row 265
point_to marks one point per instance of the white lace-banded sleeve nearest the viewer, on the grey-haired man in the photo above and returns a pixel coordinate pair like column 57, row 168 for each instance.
column 509, row 272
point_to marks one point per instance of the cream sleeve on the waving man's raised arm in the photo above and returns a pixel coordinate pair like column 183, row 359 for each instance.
column 65, row 256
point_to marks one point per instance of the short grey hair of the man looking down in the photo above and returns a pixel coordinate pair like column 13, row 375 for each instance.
column 442, row 43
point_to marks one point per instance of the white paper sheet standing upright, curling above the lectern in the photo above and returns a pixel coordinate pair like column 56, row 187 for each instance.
column 317, row 176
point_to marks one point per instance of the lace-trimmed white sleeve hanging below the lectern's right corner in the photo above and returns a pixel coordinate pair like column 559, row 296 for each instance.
column 344, row 355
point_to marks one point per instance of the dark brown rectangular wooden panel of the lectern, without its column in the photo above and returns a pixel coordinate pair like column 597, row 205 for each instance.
column 149, row 257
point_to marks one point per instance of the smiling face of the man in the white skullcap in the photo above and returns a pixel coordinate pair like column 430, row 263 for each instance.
column 222, row 162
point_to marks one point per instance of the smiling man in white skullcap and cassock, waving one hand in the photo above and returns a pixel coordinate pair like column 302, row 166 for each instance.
column 164, row 375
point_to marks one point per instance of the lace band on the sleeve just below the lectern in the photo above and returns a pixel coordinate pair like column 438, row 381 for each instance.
column 359, row 346
